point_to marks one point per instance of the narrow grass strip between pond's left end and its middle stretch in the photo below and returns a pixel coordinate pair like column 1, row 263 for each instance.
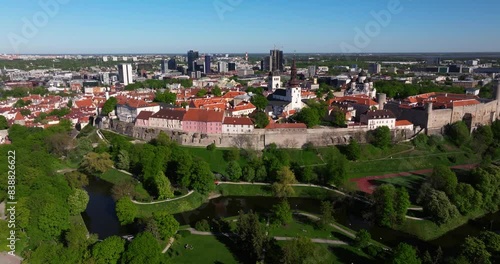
column 188, row 203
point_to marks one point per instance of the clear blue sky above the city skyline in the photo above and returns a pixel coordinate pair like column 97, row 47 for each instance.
column 254, row 26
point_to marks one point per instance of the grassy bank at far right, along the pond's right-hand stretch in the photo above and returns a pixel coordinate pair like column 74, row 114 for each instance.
column 427, row 230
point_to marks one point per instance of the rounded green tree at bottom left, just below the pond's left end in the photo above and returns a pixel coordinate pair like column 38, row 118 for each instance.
column 109, row 250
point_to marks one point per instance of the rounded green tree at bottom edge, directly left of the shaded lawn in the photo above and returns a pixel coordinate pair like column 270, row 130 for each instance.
column 143, row 249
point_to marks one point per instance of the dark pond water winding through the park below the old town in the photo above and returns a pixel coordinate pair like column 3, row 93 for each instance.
column 100, row 217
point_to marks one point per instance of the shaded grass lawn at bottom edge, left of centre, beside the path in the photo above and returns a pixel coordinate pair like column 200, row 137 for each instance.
column 206, row 249
